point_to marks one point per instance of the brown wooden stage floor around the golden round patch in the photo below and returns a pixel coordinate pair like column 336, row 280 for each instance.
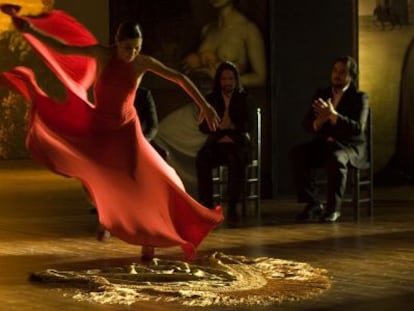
column 45, row 223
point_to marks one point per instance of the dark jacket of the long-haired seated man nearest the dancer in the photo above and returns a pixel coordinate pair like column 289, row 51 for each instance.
column 239, row 113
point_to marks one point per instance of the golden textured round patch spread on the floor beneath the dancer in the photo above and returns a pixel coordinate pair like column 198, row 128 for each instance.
column 218, row 279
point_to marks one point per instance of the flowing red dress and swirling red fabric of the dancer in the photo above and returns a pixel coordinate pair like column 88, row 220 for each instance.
column 139, row 197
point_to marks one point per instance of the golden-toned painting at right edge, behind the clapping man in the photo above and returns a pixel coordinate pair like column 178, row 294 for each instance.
column 386, row 57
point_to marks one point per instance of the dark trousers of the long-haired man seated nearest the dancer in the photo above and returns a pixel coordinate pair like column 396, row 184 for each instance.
column 231, row 155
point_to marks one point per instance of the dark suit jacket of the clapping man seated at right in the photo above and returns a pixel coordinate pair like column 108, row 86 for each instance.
column 349, row 131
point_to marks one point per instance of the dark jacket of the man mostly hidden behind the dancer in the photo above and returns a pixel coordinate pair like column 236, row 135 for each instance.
column 147, row 112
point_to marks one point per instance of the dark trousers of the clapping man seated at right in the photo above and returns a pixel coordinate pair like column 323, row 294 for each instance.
column 332, row 156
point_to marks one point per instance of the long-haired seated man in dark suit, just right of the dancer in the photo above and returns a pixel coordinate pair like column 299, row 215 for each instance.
column 230, row 144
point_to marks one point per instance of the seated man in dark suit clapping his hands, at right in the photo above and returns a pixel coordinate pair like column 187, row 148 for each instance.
column 337, row 117
